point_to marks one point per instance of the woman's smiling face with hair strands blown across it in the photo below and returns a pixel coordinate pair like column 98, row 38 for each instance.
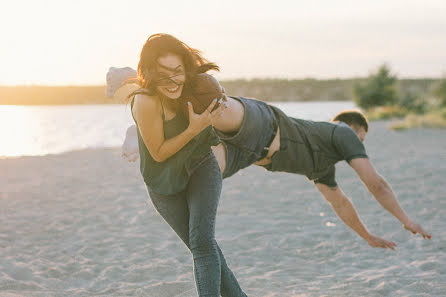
column 172, row 76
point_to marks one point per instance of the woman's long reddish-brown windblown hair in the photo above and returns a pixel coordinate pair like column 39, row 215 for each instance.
column 161, row 44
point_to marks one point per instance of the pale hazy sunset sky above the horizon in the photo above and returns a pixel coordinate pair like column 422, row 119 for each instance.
column 74, row 42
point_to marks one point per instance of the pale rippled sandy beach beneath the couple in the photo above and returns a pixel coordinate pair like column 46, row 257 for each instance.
column 81, row 224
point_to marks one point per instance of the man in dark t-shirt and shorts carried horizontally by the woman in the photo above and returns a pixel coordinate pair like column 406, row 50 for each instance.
column 253, row 132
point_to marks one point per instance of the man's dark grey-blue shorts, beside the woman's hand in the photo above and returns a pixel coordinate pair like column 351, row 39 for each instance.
column 248, row 144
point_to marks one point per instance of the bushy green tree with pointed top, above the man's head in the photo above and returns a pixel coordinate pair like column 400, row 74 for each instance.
column 378, row 90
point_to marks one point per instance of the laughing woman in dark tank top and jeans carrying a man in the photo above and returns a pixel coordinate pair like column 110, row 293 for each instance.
column 179, row 169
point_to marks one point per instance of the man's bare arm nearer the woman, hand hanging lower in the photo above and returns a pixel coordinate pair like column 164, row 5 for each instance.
column 347, row 213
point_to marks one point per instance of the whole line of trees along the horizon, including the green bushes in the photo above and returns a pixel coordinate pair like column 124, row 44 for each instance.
column 380, row 88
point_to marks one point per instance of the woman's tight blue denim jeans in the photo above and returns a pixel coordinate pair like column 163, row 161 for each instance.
column 191, row 214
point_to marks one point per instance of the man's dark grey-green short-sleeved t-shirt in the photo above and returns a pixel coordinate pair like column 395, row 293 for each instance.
column 313, row 148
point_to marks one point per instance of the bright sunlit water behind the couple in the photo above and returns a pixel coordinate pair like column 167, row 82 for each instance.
column 41, row 130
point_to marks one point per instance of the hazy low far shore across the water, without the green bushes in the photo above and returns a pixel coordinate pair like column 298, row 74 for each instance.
column 272, row 90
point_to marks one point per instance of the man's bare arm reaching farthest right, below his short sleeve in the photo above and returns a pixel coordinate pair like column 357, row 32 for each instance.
column 384, row 194
